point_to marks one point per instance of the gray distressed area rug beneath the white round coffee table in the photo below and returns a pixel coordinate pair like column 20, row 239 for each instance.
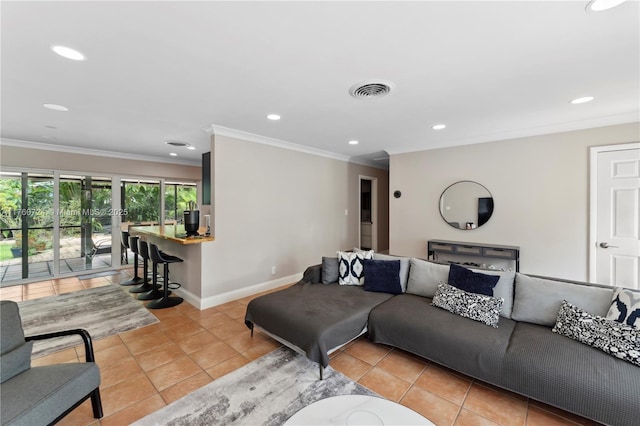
column 266, row 391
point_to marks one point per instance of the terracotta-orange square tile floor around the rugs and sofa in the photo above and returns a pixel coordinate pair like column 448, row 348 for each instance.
column 143, row 370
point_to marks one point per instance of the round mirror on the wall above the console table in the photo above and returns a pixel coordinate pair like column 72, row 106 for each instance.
column 466, row 205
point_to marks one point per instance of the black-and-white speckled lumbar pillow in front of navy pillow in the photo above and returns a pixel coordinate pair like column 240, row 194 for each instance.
column 478, row 307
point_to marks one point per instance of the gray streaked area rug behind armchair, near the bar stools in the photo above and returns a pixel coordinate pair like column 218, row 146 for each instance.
column 102, row 311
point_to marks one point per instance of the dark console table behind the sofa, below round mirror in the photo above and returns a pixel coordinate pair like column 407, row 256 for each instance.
column 435, row 247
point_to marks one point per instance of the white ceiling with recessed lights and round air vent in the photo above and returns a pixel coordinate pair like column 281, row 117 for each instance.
column 162, row 70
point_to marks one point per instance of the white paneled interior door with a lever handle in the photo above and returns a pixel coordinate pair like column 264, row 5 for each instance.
column 615, row 215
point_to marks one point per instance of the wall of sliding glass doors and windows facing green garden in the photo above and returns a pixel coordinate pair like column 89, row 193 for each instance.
column 63, row 223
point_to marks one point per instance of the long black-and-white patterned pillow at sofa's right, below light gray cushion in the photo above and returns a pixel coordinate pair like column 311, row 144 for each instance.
column 612, row 337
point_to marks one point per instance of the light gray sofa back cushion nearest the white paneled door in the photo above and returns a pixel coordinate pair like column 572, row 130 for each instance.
column 538, row 300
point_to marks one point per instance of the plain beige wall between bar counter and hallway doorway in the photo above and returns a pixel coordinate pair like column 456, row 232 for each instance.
column 278, row 207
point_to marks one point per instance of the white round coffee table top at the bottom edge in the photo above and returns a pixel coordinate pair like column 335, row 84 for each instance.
column 353, row 410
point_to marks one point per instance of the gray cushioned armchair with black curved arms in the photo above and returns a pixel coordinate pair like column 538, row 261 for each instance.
column 41, row 395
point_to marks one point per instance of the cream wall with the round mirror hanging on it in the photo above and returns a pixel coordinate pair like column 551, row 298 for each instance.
column 540, row 187
